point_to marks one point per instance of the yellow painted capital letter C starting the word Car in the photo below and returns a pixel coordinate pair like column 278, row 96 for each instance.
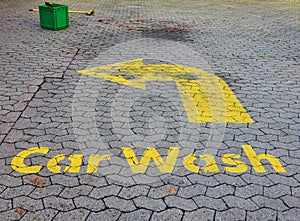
column 18, row 164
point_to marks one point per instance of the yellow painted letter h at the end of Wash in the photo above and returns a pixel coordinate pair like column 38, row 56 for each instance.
column 255, row 160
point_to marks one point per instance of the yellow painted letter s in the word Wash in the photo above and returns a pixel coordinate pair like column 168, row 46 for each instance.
column 237, row 165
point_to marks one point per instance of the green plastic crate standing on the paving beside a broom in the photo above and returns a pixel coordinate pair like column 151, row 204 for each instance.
column 54, row 18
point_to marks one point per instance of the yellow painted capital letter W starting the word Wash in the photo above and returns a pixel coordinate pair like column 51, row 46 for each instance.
column 151, row 153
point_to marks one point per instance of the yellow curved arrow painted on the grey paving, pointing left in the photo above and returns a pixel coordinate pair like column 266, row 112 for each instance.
column 205, row 97
